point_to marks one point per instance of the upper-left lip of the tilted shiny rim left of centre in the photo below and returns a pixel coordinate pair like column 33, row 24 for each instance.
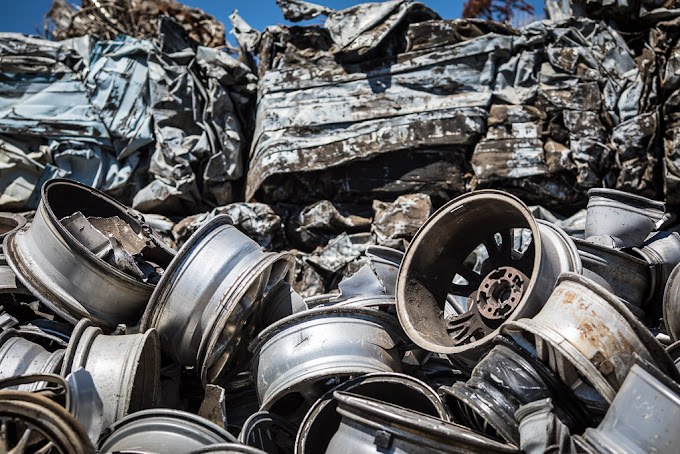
column 168, row 281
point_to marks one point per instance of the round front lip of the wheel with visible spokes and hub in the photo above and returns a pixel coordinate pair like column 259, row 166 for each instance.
column 451, row 206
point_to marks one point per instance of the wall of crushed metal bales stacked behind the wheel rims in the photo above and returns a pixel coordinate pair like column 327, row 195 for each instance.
column 310, row 137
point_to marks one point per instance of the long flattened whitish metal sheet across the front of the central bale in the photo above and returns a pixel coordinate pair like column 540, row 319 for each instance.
column 315, row 116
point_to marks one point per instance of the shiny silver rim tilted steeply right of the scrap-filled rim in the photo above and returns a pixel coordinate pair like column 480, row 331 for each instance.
column 209, row 301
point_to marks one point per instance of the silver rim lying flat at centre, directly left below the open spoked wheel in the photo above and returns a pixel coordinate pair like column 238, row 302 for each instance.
column 300, row 357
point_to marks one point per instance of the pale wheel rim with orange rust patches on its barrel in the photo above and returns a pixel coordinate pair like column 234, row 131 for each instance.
column 583, row 328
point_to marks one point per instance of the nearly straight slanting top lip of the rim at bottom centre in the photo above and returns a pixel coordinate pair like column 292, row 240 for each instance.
column 411, row 425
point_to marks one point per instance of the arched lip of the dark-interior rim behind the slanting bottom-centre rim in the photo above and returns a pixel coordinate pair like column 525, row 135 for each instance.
column 310, row 419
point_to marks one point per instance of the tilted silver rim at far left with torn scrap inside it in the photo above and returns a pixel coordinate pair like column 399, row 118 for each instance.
column 65, row 275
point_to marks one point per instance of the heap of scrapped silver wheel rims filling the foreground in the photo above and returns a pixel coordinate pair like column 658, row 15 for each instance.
column 494, row 332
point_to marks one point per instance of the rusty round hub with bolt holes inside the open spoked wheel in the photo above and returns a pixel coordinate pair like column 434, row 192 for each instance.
column 500, row 292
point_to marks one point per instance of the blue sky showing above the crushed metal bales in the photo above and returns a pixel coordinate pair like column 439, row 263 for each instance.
column 23, row 15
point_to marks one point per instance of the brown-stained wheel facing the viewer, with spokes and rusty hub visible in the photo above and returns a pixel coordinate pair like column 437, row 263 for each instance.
column 451, row 304
